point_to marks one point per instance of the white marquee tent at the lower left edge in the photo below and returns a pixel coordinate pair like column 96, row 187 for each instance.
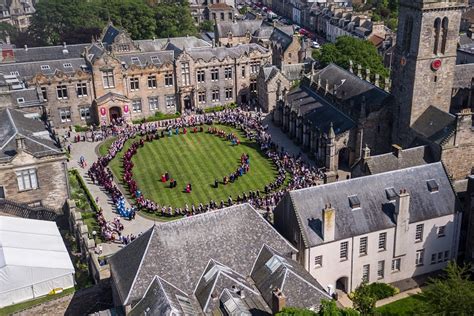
column 33, row 260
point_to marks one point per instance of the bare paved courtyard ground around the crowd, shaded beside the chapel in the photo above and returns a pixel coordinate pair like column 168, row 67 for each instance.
column 140, row 224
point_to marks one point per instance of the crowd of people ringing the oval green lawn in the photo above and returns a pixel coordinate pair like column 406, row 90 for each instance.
column 293, row 173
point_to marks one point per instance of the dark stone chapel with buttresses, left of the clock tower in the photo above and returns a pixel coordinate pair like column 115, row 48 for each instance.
column 354, row 107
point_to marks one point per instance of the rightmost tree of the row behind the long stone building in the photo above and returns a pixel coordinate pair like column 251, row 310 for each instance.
column 173, row 18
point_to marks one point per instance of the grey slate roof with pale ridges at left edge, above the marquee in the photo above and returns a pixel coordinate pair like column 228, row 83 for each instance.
column 37, row 140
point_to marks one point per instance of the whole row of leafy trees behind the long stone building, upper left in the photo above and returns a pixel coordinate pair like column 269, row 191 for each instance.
column 76, row 21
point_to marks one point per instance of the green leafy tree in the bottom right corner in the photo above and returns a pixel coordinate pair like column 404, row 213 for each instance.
column 451, row 294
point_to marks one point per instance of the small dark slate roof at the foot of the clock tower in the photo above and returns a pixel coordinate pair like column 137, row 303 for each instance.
column 435, row 124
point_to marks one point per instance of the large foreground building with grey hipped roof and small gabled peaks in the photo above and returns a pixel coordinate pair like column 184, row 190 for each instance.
column 230, row 262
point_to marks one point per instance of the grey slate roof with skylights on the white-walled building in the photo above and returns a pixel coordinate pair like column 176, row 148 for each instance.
column 376, row 212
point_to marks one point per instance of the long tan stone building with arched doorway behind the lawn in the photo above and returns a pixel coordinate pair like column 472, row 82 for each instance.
column 118, row 77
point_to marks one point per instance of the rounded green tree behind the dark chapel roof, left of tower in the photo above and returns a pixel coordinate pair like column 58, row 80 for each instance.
column 347, row 48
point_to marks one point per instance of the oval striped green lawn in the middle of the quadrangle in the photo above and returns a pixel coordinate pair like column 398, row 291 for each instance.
column 198, row 159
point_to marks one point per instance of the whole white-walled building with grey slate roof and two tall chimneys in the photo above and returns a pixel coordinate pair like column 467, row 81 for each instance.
column 386, row 227
